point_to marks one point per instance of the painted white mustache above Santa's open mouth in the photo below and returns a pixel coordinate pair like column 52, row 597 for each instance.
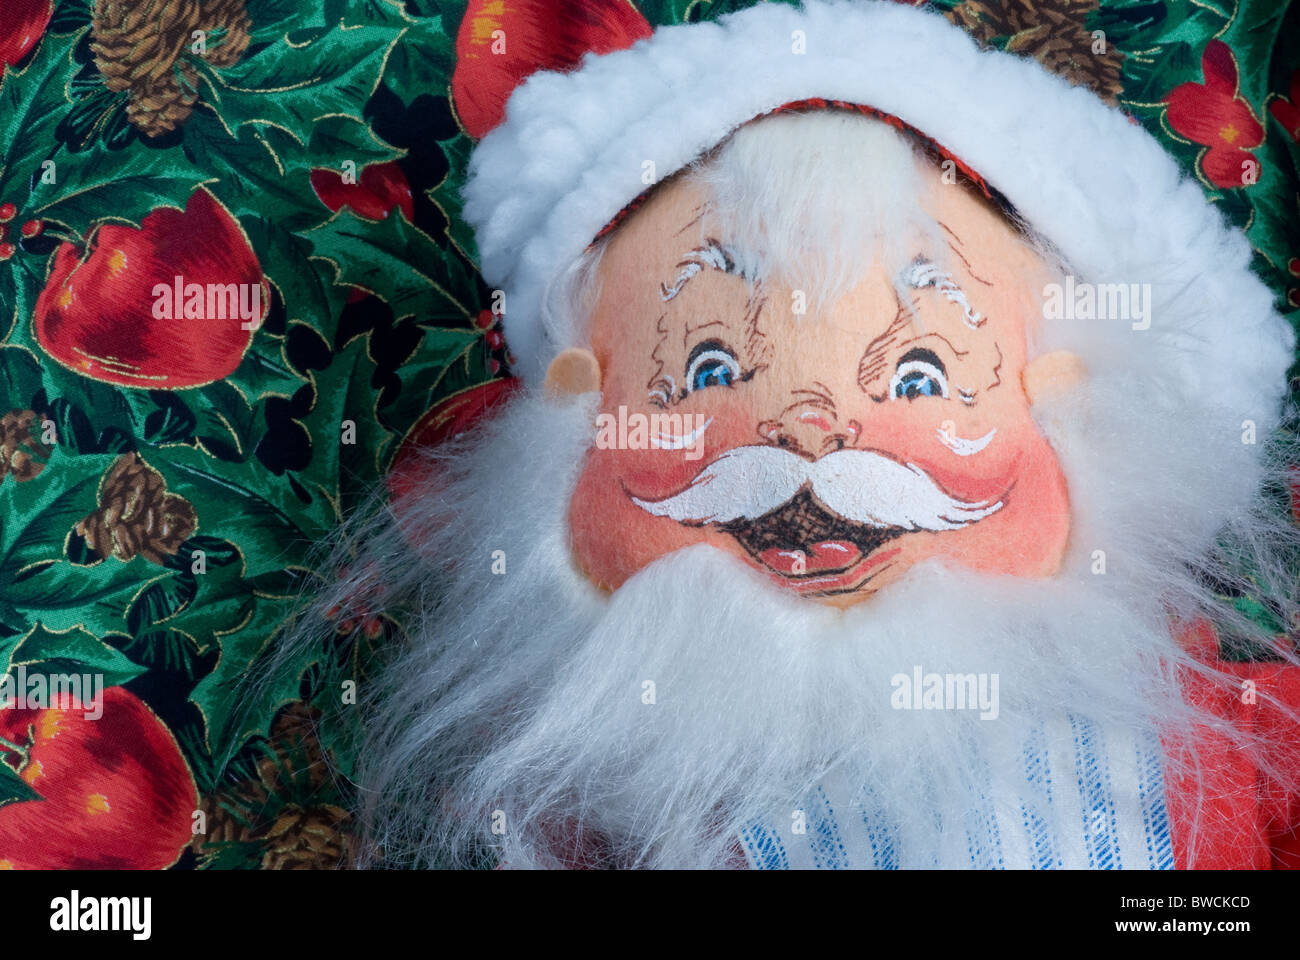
column 860, row 486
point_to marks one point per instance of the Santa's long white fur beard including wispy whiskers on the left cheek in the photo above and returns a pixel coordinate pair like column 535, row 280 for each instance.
column 532, row 715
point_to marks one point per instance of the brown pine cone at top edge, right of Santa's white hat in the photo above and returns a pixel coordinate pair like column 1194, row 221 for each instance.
column 1052, row 32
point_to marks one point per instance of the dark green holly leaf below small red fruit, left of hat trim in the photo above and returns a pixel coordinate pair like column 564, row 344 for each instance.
column 397, row 262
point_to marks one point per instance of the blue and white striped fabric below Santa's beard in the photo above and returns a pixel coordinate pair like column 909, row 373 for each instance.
column 1080, row 798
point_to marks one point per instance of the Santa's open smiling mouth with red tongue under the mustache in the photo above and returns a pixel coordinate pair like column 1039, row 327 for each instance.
column 812, row 548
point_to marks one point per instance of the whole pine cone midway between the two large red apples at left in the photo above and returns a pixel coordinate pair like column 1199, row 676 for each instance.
column 137, row 514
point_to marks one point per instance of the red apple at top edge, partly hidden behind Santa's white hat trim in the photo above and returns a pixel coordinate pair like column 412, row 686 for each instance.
column 502, row 42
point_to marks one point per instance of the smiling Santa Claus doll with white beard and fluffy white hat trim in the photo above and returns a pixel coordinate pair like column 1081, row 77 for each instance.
column 894, row 420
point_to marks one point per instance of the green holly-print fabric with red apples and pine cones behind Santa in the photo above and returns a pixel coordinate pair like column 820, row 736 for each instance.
column 163, row 481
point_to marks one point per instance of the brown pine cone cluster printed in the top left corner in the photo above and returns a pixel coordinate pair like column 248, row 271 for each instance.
column 142, row 46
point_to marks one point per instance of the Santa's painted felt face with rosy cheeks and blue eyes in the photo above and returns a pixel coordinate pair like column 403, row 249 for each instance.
column 830, row 446
